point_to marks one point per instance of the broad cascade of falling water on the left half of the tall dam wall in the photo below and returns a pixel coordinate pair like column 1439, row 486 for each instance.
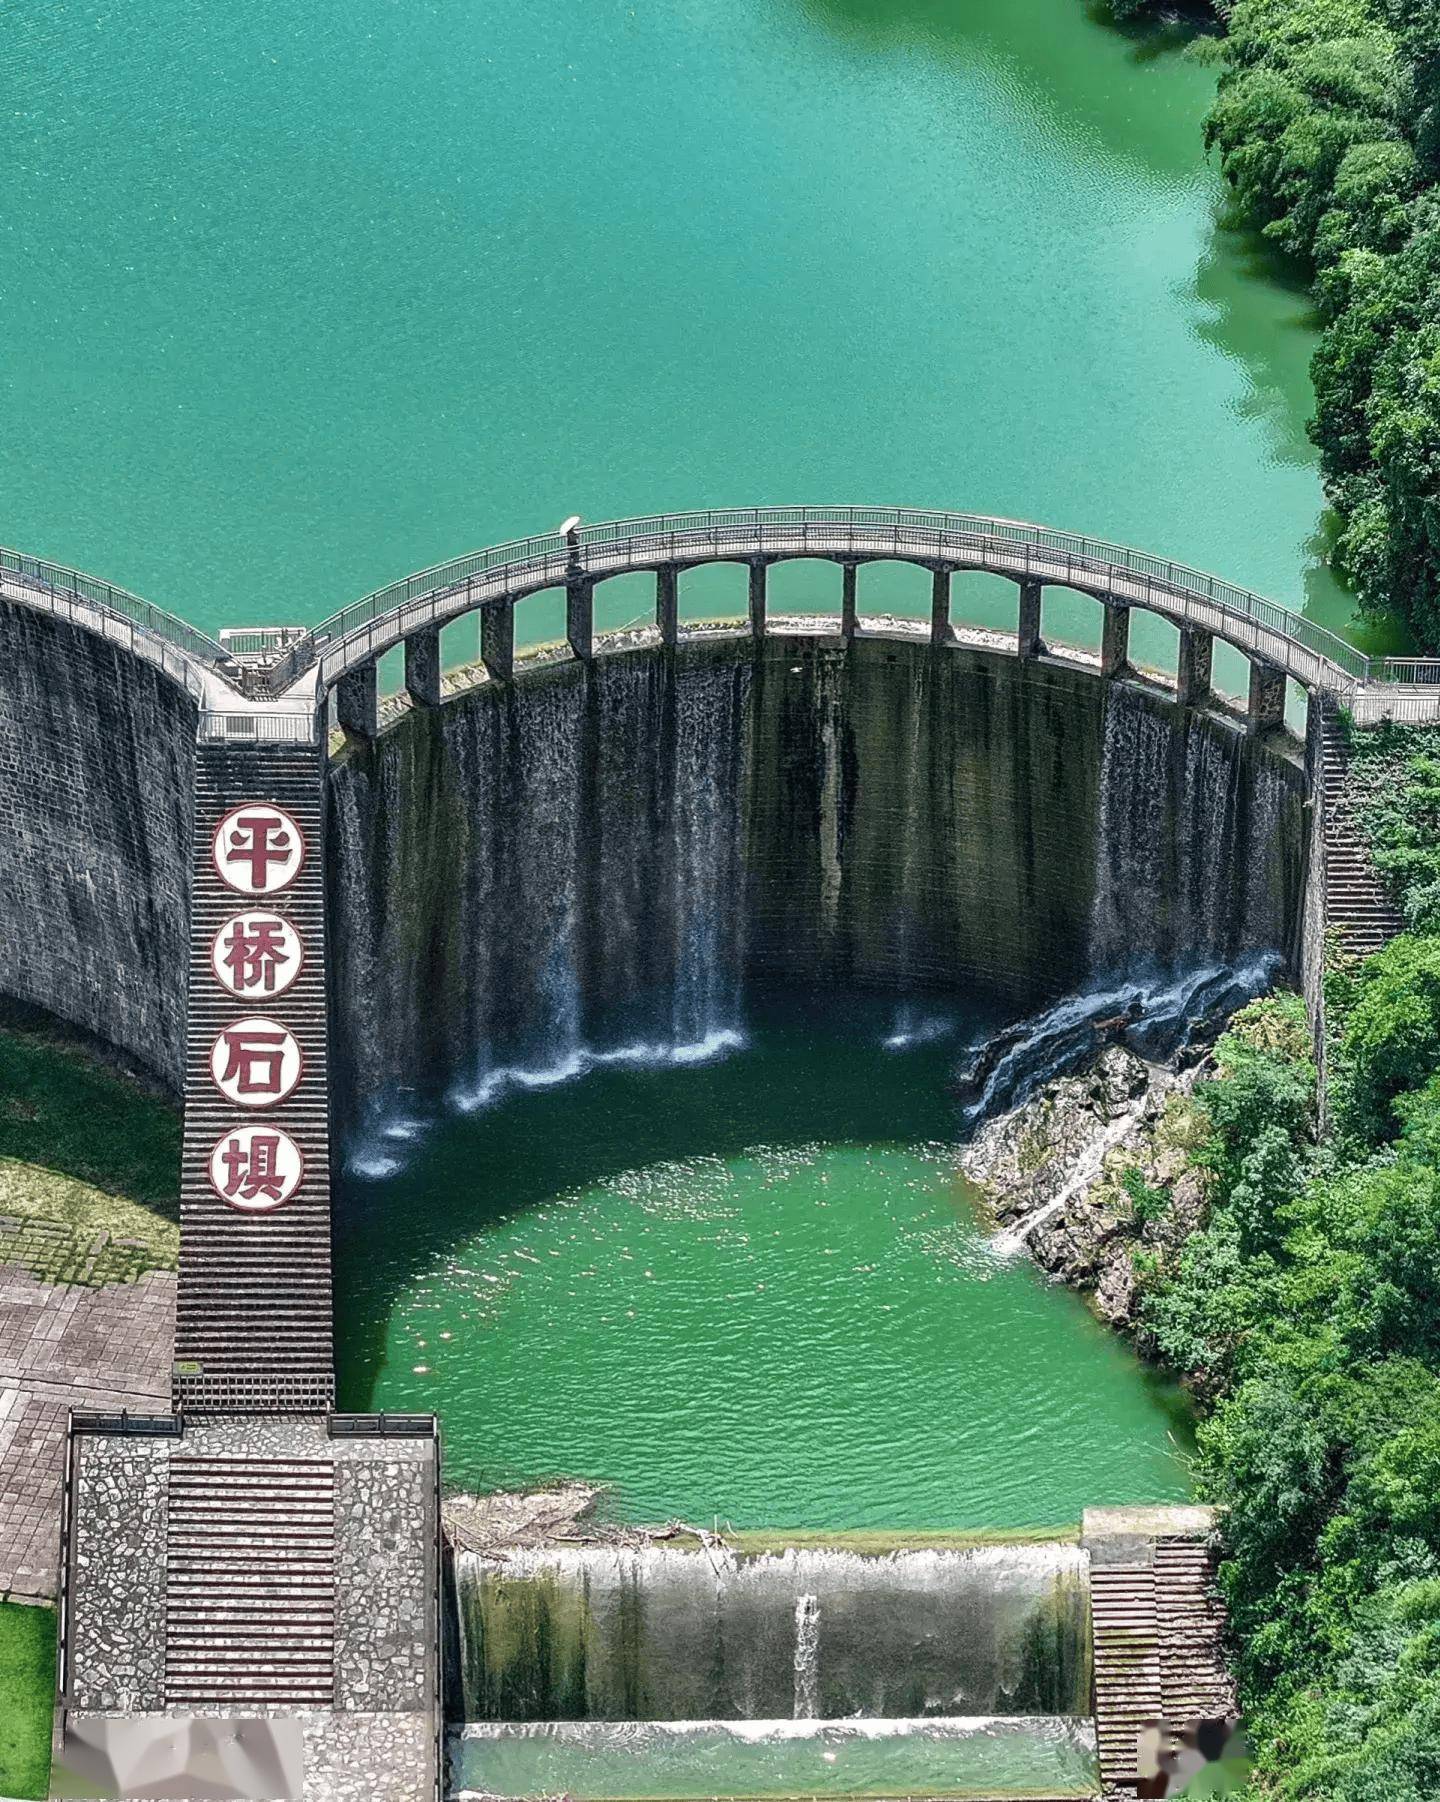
column 558, row 873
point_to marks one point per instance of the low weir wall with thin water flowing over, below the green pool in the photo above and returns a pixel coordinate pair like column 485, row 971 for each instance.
column 664, row 1635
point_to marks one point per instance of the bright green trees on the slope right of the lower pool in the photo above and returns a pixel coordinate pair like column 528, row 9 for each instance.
column 1306, row 1316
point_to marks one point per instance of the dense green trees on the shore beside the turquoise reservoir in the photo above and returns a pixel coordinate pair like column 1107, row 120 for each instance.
column 1327, row 129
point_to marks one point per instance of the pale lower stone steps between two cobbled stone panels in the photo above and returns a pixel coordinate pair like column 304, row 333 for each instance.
column 251, row 1583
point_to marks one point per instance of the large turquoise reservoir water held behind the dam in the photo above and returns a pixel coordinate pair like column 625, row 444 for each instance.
column 300, row 298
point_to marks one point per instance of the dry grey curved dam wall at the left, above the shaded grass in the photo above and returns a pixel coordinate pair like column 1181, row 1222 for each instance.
column 96, row 808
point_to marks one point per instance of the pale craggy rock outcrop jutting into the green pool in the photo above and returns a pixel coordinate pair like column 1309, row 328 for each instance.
column 1093, row 1170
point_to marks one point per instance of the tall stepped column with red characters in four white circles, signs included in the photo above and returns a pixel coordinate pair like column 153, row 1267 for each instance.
column 253, row 1329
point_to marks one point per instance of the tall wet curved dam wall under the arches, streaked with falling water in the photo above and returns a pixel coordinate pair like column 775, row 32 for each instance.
column 612, row 855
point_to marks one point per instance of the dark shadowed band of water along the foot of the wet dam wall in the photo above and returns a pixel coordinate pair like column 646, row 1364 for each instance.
column 814, row 1073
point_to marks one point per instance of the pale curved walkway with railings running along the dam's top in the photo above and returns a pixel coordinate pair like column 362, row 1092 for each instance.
column 1203, row 606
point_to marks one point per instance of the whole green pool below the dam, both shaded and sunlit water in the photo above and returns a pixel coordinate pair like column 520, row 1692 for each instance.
column 752, row 1289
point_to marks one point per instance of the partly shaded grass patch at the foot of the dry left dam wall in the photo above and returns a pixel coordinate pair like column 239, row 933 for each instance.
column 86, row 1147
